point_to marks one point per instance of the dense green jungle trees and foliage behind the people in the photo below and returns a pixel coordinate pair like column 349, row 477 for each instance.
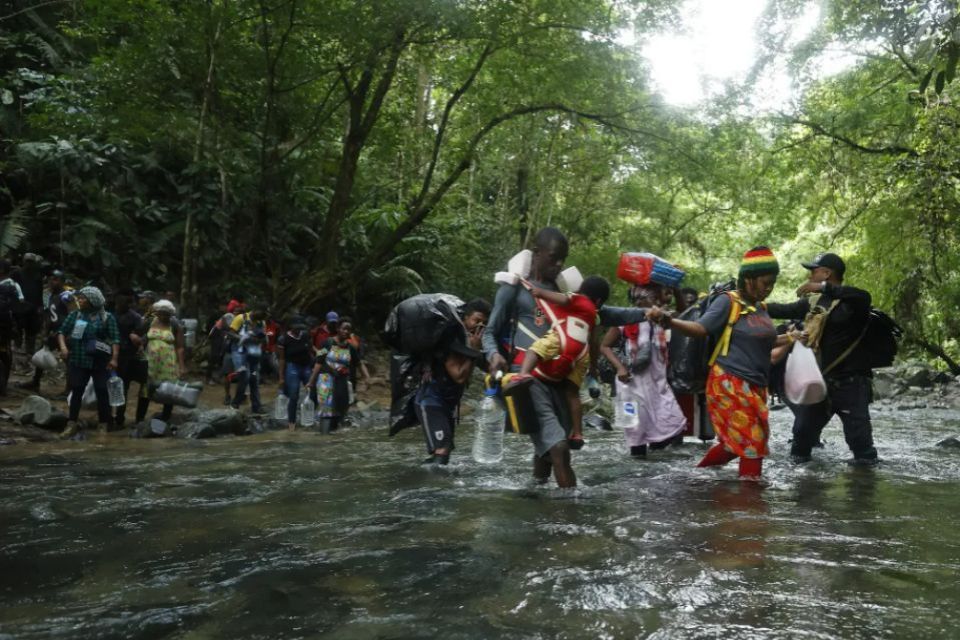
column 319, row 152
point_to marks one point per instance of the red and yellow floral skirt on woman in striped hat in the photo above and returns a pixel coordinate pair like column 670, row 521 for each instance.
column 738, row 411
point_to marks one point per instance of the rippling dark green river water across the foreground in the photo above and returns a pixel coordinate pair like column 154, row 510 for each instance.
column 303, row 536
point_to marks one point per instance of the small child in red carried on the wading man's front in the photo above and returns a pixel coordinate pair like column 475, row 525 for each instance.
column 567, row 351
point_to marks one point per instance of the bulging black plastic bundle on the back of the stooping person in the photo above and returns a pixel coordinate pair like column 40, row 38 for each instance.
column 418, row 324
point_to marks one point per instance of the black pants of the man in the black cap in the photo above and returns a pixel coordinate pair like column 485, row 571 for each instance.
column 847, row 397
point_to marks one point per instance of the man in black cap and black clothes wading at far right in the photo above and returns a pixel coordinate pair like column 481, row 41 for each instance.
column 843, row 358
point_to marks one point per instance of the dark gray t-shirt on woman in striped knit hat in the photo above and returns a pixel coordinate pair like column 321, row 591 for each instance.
column 751, row 342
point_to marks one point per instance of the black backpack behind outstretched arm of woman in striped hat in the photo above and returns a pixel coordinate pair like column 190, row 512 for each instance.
column 688, row 365
